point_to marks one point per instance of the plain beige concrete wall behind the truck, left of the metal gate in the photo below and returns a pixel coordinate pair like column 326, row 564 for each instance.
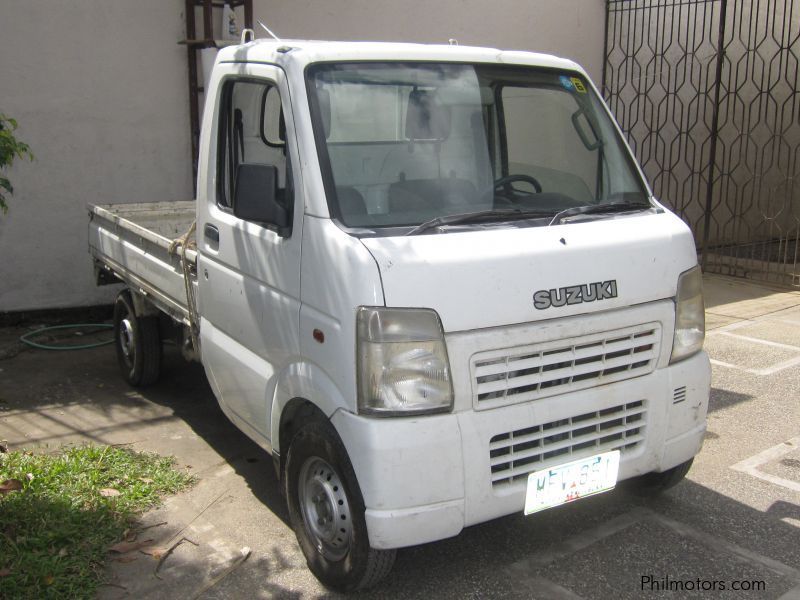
column 100, row 91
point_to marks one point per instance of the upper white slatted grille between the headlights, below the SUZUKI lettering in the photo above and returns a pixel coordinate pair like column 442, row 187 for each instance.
column 502, row 377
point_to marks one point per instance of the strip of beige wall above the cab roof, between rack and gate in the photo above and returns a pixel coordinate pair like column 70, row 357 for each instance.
column 568, row 28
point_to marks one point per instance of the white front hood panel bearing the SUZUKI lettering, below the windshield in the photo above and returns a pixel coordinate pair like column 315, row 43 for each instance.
column 495, row 277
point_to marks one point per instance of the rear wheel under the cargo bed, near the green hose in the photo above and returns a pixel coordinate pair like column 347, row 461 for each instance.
column 138, row 343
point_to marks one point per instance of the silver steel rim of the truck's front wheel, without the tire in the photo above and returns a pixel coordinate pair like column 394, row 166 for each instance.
column 326, row 512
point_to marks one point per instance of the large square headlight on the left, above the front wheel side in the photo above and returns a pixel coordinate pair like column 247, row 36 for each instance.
column 402, row 362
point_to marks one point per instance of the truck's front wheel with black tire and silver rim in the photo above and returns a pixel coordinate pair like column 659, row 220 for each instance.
column 326, row 510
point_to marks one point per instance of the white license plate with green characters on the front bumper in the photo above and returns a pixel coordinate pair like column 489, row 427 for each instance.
column 568, row 482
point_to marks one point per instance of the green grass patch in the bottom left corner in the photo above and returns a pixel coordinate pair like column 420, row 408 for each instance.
column 55, row 532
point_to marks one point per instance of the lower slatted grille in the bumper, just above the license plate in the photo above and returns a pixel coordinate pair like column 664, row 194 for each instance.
column 516, row 454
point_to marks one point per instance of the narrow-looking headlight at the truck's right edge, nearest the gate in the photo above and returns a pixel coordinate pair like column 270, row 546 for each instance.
column 690, row 316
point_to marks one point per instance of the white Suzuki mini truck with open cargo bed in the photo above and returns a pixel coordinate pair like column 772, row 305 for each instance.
column 430, row 280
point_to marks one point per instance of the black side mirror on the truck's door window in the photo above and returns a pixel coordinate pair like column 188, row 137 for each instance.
column 256, row 197
